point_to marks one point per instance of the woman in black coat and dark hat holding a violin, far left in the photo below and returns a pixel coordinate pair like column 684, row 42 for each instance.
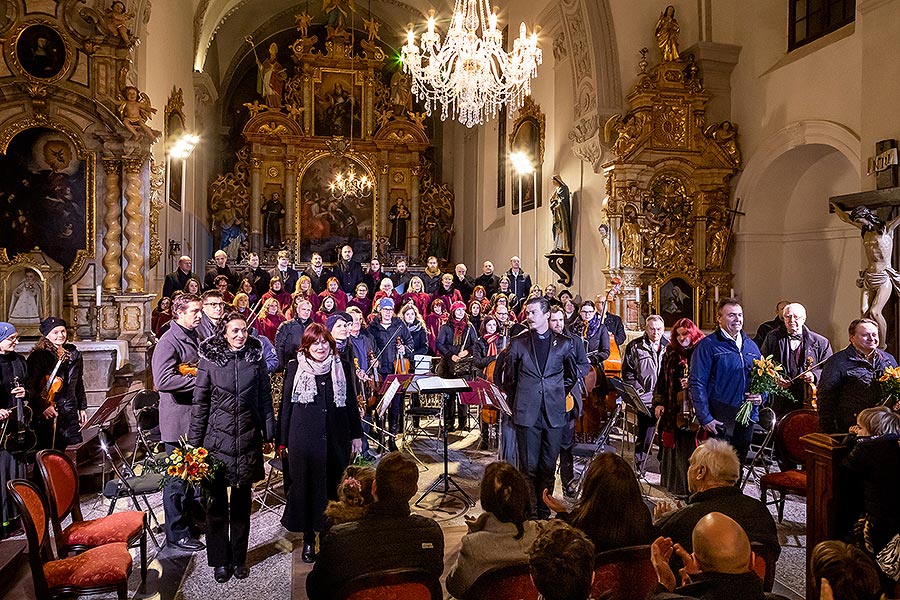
column 69, row 407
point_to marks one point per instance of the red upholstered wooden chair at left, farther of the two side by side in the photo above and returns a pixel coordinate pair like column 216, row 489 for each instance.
column 61, row 482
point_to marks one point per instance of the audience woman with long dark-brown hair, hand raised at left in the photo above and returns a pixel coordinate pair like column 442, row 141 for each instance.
column 611, row 510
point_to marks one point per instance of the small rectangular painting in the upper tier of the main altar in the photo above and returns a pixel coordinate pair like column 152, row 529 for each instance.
column 337, row 101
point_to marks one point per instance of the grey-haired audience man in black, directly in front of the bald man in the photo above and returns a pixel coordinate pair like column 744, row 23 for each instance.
column 713, row 471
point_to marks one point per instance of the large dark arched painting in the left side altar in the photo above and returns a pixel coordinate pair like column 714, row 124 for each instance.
column 46, row 198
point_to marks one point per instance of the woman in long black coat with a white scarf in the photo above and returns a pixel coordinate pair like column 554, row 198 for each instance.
column 319, row 425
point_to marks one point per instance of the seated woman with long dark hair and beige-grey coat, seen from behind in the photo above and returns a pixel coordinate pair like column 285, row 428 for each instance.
column 502, row 535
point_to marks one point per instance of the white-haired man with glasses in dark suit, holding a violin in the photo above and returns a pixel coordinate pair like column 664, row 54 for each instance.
column 797, row 349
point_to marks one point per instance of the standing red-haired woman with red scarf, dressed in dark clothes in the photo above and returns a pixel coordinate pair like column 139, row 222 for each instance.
column 672, row 405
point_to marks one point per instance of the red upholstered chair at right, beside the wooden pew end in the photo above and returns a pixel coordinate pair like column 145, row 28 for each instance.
column 788, row 432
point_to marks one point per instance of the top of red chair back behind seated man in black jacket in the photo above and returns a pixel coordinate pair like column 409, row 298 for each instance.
column 393, row 584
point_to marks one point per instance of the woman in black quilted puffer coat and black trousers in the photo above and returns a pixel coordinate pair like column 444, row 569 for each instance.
column 231, row 416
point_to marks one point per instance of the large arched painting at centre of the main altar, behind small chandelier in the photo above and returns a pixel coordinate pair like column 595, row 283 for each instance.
column 326, row 222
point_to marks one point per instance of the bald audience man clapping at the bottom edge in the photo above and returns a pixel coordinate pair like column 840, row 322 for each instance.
column 720, row 567
